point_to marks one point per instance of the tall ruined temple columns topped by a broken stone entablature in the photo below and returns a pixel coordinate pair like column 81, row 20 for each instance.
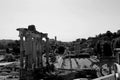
column 31, row 48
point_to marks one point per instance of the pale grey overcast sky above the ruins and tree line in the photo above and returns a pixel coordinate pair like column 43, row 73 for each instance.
column 66, row 19
